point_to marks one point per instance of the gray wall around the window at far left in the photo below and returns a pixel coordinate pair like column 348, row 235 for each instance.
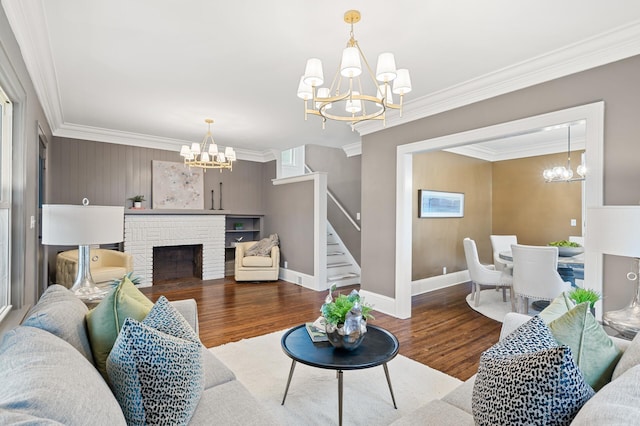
column 27, row 117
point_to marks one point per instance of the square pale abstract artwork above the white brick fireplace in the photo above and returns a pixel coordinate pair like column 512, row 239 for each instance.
column 176, row 186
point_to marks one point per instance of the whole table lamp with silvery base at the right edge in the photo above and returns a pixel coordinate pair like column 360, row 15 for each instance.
column 616, row 230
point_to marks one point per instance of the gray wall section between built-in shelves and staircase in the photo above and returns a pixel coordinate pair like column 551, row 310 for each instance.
column 289, row 213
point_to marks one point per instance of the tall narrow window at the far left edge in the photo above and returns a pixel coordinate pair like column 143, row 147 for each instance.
column 5, row 204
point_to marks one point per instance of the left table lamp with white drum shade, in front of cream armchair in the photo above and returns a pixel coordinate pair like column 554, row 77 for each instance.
column 85, row 225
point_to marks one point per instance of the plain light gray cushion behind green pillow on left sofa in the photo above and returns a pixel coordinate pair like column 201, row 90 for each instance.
column 60, row 312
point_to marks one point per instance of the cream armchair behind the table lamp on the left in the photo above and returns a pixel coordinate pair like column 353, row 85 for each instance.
column 106, row 265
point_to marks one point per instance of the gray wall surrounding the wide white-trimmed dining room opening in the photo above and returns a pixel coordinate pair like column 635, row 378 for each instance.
column 616, row 84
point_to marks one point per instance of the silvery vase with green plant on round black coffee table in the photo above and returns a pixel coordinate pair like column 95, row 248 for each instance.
column 345, row 319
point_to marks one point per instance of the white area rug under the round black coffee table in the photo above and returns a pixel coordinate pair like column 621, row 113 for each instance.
column 263, row 368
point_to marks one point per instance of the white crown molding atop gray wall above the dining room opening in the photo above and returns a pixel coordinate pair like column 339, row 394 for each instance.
column 607, row 47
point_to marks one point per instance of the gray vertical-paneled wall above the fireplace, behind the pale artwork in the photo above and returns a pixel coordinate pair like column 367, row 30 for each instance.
column 109, row 174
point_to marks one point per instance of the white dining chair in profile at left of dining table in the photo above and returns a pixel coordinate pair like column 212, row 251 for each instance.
column 484, row 275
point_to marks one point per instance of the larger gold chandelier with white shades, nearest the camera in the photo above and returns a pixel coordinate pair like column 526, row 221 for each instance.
column 351, row 103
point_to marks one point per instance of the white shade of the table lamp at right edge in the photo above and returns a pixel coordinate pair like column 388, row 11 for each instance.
column 614, row 229
